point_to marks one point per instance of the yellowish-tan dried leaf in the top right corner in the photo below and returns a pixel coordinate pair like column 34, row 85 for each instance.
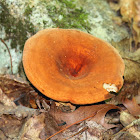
column 130, row 11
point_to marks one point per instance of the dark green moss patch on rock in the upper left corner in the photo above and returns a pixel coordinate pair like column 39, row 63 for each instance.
column 16, row 29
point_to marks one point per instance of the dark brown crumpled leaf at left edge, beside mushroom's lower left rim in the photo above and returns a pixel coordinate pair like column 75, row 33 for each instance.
column 15, row 88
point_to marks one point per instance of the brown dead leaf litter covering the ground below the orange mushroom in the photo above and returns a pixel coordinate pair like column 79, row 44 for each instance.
column 86, row 121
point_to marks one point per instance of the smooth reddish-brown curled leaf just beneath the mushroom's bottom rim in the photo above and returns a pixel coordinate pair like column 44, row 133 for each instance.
column 83, row 112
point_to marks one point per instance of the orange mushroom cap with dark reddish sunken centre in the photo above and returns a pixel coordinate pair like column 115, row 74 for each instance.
column 72, row 66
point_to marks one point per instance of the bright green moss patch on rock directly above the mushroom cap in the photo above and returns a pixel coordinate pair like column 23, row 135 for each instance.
column 67, row 15
